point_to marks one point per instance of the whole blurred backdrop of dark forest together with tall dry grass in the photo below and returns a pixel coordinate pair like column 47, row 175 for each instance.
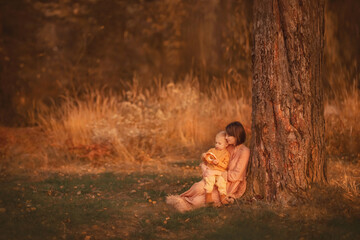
column 138, row 80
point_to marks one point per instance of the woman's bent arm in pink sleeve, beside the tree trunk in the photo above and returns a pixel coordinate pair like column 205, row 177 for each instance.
column 238, row 165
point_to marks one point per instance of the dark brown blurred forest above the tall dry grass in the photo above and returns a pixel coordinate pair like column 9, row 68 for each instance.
column 50, row 47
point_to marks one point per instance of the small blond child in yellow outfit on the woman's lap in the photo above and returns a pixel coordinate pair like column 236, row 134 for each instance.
column 216, row 161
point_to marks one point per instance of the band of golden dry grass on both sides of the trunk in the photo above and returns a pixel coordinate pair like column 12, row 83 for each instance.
column 100, row 127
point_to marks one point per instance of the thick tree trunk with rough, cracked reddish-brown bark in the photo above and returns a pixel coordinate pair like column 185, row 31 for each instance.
column 287, row 118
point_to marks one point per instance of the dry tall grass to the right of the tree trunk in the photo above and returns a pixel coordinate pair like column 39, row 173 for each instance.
column 342, row 135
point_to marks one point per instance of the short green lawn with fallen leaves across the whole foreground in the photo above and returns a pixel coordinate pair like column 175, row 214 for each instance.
column 114, row 205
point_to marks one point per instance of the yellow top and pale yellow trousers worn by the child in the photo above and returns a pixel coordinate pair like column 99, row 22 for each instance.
column 213, row 173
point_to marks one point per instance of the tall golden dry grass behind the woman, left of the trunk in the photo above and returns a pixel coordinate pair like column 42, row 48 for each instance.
column 139, row 124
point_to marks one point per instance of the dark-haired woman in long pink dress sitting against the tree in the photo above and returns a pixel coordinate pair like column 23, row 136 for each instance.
column 236, row 174
